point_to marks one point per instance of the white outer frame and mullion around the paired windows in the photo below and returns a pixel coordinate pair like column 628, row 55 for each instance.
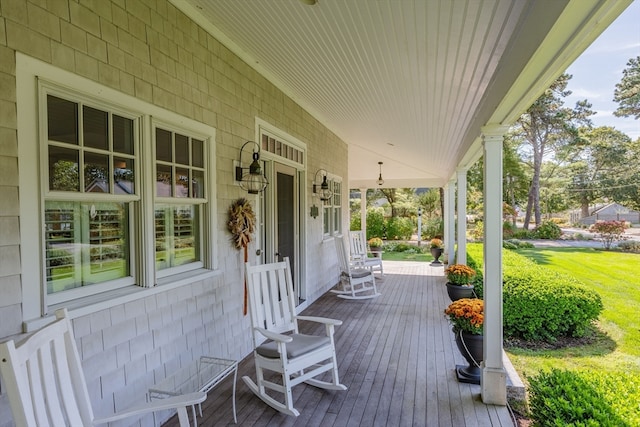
column 36, row 303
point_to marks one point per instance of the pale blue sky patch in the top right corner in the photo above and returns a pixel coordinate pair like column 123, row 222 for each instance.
column 597, row 71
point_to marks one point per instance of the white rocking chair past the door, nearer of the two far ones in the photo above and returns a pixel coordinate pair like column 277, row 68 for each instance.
column 355, row 282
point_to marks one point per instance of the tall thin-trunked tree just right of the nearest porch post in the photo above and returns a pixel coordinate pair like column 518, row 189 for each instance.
column 544, row 130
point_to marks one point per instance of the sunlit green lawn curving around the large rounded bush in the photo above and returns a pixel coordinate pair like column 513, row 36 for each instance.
column 614, row 276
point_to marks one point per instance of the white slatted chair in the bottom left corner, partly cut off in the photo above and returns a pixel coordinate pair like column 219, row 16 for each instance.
column 46, row 386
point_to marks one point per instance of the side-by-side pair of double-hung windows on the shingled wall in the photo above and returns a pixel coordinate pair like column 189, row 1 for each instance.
column 99, row 230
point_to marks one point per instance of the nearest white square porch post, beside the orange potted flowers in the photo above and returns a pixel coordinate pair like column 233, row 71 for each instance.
column 493, row 380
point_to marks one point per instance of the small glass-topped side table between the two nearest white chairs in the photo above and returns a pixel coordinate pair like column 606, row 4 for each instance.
column 200, row 375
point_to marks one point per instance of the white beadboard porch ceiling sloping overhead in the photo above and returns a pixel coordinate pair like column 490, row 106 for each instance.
column 408, row 82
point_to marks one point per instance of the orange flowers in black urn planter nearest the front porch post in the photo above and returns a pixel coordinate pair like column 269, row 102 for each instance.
column 467, row 317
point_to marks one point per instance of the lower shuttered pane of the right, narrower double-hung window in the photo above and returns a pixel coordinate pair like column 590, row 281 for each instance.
column 177, row 235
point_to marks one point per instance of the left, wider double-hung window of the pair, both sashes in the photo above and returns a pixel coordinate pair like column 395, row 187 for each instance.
column 89, row 151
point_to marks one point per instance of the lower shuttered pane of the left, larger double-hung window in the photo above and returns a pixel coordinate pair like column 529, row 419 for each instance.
column 85, row 244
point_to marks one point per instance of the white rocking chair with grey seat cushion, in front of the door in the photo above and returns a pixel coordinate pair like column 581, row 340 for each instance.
column 296, row 357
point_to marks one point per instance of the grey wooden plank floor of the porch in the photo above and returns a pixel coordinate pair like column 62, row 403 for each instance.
column 397, row 358
